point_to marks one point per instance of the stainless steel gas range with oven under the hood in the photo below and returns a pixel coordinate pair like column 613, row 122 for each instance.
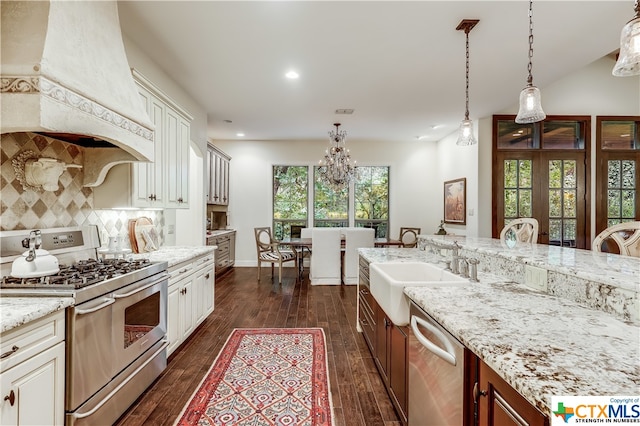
column 116, row 330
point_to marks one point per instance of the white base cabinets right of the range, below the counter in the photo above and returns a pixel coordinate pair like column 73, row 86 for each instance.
column 190, row 298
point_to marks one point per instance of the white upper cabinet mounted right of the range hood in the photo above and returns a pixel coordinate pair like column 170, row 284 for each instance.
column 164, row 183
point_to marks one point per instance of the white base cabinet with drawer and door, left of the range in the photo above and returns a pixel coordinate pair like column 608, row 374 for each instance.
column 32, row 373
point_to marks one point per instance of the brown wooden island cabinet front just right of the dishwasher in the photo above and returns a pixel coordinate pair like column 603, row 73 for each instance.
column 501, row 405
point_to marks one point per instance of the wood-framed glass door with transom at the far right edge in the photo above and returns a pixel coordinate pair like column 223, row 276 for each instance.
column 617, row 177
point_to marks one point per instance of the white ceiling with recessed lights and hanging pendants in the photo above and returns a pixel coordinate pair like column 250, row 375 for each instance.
column 399, row 65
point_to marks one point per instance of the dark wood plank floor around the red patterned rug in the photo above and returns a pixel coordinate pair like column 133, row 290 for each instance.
column 359, row 397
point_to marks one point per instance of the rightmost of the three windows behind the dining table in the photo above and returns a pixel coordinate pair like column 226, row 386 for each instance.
column 372, row 199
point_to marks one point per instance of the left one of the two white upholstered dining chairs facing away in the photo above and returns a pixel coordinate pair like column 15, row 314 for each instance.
column 325, row 260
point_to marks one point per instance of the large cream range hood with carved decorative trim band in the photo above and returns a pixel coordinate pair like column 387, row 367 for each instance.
column 65, row 75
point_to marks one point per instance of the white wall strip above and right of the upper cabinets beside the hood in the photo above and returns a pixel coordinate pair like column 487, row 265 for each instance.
column 185, row 227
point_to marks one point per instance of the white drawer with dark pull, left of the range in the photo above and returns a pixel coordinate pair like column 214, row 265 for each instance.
column 21, row 343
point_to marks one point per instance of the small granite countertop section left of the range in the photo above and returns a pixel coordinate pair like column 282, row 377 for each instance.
column 16, row 311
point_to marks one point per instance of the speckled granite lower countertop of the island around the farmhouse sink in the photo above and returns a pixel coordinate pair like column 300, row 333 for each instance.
column 541, row 344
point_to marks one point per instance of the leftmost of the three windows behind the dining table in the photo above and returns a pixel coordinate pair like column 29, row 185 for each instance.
column 290, row 198
